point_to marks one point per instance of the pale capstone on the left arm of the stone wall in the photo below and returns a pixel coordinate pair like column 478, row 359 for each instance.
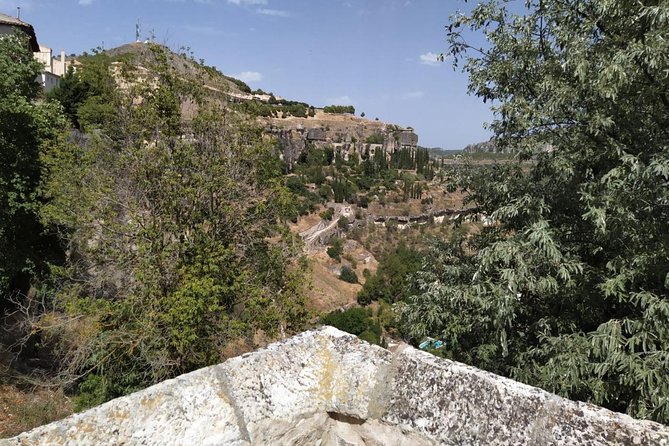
column 178, row 411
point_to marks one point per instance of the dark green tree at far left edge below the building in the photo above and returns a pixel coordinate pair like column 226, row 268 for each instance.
column 26, row 127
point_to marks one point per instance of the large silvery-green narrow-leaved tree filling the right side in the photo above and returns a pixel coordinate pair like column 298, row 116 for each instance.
column 569, row 290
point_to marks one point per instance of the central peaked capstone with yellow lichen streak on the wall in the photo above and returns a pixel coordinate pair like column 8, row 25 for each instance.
column 308, row 374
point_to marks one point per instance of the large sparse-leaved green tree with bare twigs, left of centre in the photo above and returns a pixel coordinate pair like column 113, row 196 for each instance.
column 172, row 211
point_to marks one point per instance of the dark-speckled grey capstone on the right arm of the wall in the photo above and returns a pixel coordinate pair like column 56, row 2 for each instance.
column 456, row 404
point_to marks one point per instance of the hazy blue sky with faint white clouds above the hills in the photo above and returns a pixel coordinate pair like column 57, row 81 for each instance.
column 378, row 55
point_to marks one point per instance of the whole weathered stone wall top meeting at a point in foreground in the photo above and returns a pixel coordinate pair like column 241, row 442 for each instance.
column 326, row 387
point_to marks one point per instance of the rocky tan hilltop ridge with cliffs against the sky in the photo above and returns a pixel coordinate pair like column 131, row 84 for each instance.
column 295, row 124
